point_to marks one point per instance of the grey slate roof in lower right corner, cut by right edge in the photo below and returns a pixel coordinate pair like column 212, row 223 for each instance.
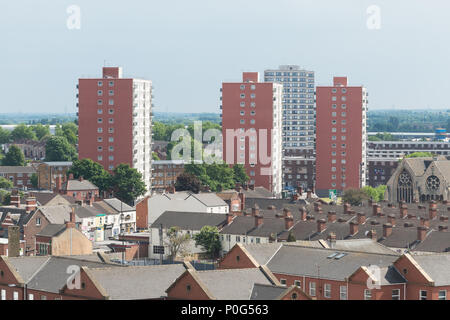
column 437, row 266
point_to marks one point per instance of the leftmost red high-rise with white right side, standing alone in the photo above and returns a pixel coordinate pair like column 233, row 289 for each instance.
column 115, row 120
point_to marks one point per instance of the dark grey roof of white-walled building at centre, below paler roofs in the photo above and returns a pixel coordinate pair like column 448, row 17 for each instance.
column 189, row 220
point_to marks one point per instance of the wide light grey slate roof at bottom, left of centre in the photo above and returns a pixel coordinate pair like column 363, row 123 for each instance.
column 140, row 282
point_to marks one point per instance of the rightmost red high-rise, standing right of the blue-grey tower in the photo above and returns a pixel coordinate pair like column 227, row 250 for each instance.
column 340, row 137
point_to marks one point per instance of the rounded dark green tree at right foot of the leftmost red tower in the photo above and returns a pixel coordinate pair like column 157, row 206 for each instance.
column 127, row 184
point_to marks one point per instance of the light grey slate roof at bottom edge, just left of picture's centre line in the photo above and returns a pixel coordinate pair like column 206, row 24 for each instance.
column 232, row 284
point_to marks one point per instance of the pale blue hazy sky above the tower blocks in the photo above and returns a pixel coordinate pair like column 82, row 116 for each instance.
column 187, row 48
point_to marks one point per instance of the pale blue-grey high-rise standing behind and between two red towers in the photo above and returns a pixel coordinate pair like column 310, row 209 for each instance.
column 298, row 124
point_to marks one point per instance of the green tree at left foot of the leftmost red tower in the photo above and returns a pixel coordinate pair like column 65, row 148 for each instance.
column 92, row 171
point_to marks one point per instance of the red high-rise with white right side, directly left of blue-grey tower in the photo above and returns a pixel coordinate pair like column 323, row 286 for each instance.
column 251, row 127
